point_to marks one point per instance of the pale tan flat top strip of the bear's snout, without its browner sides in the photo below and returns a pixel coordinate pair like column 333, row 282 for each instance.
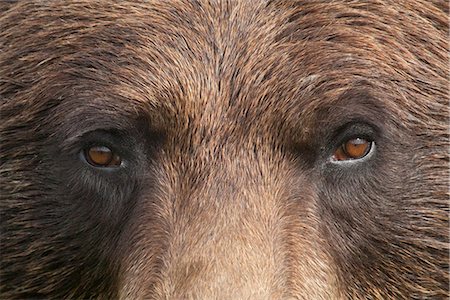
column 225, row 234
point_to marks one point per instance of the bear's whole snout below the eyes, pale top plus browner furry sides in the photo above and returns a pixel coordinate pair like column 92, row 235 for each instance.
column 239, row 225
